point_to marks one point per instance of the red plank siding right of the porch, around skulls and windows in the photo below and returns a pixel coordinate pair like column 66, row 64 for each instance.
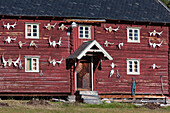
column 148, row 82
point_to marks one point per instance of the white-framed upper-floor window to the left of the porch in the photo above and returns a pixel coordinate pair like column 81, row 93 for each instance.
column 32, row 31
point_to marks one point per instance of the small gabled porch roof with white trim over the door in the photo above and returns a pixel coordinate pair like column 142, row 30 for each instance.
column 88, row 47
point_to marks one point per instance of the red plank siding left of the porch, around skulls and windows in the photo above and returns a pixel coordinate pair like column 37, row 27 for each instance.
column 54, row 80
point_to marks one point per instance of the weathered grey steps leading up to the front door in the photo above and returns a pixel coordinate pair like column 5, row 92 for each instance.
column 89, row 97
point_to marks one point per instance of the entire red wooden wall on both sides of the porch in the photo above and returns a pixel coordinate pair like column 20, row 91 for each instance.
column 57, row 79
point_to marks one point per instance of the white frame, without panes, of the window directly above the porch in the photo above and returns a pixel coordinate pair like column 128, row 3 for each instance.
column 89, row 31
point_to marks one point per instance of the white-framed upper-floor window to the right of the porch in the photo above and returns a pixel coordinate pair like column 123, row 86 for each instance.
column 133, row 35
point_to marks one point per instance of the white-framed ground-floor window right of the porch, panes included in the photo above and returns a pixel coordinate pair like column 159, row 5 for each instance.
column 133, row 67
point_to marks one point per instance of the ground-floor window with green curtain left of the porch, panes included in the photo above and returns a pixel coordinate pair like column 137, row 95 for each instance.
column 31, row 64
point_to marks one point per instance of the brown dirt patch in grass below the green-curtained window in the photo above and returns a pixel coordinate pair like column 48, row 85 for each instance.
column 38, row 102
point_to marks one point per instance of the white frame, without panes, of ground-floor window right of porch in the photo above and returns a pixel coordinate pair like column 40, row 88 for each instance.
column 133, row 67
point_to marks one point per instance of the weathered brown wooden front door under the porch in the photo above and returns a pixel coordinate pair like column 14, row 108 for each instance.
column 84, row 76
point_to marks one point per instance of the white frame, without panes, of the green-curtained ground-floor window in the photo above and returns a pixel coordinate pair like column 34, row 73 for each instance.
column 37, row 66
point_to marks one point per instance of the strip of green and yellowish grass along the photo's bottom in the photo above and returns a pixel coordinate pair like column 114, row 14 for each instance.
column 16, row 106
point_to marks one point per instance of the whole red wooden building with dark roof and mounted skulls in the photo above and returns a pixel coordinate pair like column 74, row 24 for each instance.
column 55, row 48
